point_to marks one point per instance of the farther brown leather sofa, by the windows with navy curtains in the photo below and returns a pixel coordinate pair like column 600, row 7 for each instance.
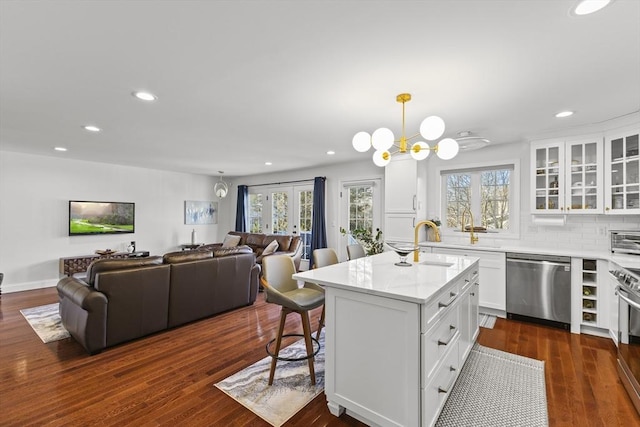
column 287, row 245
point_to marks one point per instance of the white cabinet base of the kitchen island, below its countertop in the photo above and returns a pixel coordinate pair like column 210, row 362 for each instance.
column 396, row 363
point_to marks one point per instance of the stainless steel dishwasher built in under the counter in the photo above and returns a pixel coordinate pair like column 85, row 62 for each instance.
column 539, row 289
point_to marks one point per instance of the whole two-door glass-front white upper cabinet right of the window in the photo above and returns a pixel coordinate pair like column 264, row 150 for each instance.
column 567, row 176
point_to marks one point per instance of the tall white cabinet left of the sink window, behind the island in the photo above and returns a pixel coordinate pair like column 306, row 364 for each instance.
column 405, row 192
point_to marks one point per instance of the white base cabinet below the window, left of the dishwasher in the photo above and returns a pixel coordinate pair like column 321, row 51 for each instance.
column 493, row 273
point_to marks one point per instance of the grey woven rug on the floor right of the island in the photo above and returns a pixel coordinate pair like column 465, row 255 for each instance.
column 497, row 389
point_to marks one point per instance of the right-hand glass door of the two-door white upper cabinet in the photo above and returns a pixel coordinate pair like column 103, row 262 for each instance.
column 583, row 192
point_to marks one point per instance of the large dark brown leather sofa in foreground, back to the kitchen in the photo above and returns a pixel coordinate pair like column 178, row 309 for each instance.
column 124, row 299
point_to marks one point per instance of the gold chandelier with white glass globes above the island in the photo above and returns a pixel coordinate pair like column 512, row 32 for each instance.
column 385, row 145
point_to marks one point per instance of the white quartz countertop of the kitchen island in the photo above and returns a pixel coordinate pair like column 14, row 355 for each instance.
column 377, row 275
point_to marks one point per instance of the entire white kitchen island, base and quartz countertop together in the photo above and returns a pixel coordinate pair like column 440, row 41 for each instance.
column 396, row 337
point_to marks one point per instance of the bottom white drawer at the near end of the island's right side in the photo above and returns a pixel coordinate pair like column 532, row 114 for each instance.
column 436, row 392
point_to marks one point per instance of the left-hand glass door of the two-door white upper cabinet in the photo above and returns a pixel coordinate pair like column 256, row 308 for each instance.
column 549, row 176
